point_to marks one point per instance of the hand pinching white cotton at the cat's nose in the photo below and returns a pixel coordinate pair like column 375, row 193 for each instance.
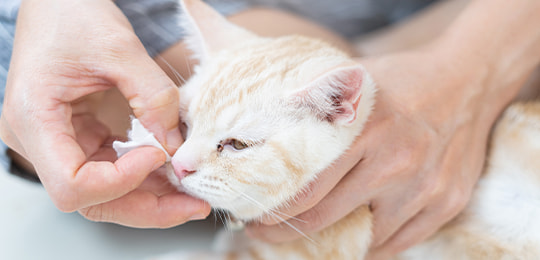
column 63, row 51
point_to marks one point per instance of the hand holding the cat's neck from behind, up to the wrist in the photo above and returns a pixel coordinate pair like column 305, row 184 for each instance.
column 417, row 160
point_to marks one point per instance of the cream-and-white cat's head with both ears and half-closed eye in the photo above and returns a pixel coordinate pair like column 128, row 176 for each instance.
column 264, row 115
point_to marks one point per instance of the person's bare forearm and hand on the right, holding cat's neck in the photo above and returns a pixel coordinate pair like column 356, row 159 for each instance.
column 423, row 149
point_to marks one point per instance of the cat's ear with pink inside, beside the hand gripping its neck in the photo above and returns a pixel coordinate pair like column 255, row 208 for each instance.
column 335, row 95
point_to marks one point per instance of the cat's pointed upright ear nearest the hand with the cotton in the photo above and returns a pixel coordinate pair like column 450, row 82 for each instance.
column 208, row 31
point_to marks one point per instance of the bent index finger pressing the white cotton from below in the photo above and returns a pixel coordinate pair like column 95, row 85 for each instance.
column 78, row 185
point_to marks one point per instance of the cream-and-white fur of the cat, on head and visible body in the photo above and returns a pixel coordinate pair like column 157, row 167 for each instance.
column 297, row 104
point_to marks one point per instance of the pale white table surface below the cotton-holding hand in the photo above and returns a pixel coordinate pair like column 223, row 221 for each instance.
column 32, row 228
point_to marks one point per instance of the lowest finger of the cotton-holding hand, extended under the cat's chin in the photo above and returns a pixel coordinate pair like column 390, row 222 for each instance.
column 144, row 209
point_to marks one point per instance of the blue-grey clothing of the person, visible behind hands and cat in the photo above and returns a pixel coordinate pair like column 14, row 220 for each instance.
column 155, row 22
